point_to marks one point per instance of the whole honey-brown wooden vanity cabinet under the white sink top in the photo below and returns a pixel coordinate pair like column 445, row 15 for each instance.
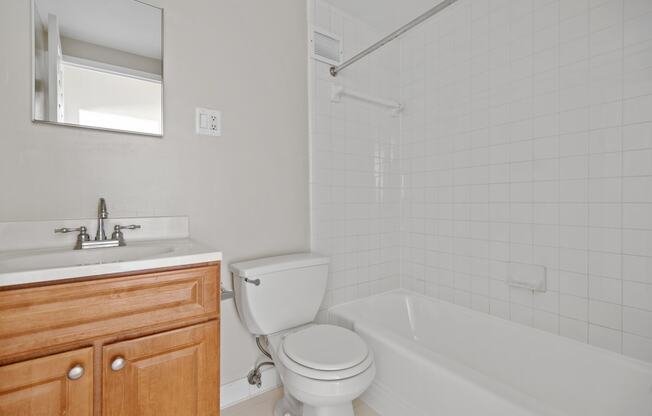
column 127, row 345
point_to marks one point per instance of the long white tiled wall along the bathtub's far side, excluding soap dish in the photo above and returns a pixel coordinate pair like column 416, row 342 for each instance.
column 527, row 137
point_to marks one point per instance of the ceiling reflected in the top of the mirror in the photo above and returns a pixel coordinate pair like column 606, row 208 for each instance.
column 125, row 25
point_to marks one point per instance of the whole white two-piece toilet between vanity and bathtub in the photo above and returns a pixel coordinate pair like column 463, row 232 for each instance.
column 323, row 367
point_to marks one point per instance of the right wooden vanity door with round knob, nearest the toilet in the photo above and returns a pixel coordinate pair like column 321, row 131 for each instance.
column 174, row 373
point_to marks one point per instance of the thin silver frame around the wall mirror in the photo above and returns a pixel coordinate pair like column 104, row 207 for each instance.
column 33, row 81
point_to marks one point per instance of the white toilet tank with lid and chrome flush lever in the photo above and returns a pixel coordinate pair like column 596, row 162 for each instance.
column 277, row 293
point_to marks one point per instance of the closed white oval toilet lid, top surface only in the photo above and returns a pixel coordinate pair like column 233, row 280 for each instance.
column 325, row 347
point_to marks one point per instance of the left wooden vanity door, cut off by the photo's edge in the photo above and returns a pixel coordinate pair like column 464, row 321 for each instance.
column 60, row 384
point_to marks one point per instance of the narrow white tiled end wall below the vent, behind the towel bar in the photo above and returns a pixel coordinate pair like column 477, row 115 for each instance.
column 355, row 181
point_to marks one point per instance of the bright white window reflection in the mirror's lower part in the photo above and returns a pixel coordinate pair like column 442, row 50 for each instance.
column 103, row 98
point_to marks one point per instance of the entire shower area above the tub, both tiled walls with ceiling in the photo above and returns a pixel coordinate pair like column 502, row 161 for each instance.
column 494, row 154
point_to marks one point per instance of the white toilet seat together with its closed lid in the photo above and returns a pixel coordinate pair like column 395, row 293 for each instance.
column 325, row 352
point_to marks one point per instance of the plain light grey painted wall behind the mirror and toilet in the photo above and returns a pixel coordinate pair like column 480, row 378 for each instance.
column 245, row 193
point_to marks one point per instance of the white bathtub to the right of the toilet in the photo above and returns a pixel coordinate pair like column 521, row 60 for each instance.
column 436, row 358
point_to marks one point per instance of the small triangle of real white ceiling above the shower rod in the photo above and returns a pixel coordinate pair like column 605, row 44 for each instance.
column 385, row 15
